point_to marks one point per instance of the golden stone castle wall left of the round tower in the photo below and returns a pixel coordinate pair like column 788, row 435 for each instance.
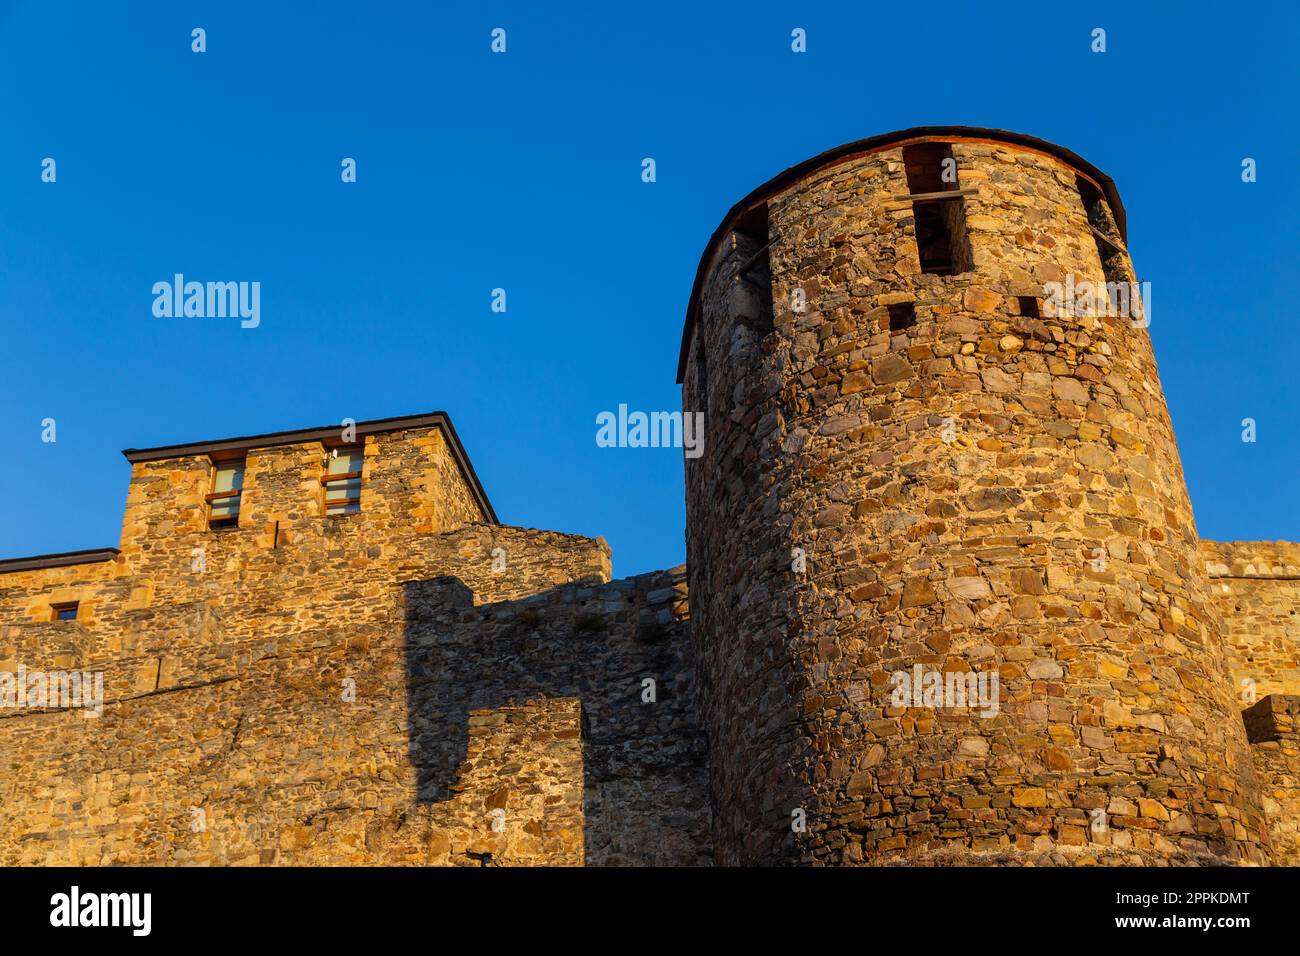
column 369, row 689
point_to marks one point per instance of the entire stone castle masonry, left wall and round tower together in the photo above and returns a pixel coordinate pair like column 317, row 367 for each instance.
column 902, row 470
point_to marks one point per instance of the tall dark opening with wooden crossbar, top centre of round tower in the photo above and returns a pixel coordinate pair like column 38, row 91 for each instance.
column 941, row 224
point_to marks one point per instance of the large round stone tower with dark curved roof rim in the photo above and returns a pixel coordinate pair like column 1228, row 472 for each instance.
column 944, row 581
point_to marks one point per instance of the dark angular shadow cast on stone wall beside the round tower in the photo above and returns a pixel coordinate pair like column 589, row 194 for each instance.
column 644, row 768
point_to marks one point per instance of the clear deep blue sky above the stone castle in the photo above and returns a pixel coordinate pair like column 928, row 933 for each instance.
column 522, row 171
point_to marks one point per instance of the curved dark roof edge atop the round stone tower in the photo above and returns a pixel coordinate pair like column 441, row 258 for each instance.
column 872, row 145
